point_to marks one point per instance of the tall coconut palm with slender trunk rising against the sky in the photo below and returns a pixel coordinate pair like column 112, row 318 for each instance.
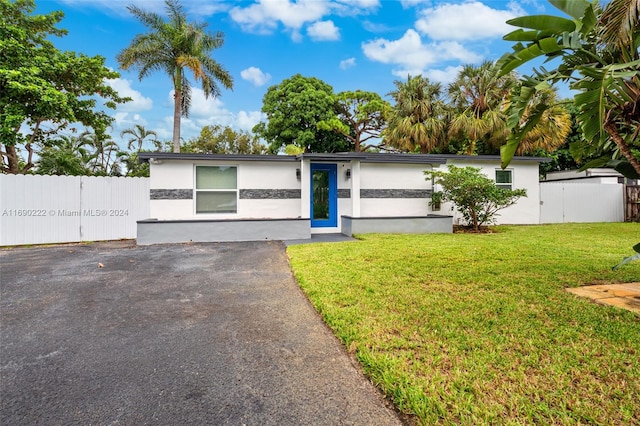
column 174, row 46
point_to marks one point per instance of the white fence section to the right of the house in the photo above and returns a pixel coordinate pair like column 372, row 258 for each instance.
column 581, row 202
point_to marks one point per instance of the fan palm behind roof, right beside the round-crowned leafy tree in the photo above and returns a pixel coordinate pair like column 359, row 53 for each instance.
column 417, row 120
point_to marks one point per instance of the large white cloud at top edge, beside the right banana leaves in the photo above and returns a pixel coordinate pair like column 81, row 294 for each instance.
column 467, row 21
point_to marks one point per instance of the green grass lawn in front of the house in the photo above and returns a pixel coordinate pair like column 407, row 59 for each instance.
column 477, row 328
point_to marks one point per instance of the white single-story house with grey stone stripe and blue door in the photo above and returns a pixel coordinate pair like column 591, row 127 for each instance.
column 202, row 197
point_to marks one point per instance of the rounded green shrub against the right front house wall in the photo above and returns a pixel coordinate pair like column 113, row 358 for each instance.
column 476, row 196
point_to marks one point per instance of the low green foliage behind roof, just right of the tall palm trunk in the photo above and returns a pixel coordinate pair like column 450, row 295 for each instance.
column 216, row 139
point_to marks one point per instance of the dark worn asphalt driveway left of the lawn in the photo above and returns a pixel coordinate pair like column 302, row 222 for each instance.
column 111, row 333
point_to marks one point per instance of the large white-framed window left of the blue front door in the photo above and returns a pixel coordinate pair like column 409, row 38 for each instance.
column 216, row 189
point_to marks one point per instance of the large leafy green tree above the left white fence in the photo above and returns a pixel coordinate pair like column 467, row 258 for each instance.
column 43, row 89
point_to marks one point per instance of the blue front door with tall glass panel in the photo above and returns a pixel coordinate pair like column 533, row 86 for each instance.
column 324, row 195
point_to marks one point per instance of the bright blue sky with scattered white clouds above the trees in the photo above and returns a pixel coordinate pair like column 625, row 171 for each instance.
column 350, row 44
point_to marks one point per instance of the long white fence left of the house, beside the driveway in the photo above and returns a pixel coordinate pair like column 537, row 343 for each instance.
column 60, row 209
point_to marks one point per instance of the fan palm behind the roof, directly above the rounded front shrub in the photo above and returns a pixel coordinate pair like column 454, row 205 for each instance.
column 479, row 96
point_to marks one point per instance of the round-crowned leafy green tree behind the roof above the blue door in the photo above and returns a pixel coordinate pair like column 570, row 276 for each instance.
column 361, row 118
